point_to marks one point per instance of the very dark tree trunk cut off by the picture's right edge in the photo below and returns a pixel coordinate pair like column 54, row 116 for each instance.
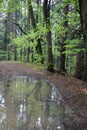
column 83, row 15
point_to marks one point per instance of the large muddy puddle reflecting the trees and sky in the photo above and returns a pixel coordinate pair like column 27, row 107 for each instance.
column 30, row 104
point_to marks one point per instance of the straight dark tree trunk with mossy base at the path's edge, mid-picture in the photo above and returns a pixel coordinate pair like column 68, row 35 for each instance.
column 46, row 11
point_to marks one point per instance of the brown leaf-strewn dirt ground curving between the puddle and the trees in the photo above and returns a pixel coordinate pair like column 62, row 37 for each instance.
column 73, row 91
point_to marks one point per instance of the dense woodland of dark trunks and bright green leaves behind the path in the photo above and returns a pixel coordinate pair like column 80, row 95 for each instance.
column 50, row 33
